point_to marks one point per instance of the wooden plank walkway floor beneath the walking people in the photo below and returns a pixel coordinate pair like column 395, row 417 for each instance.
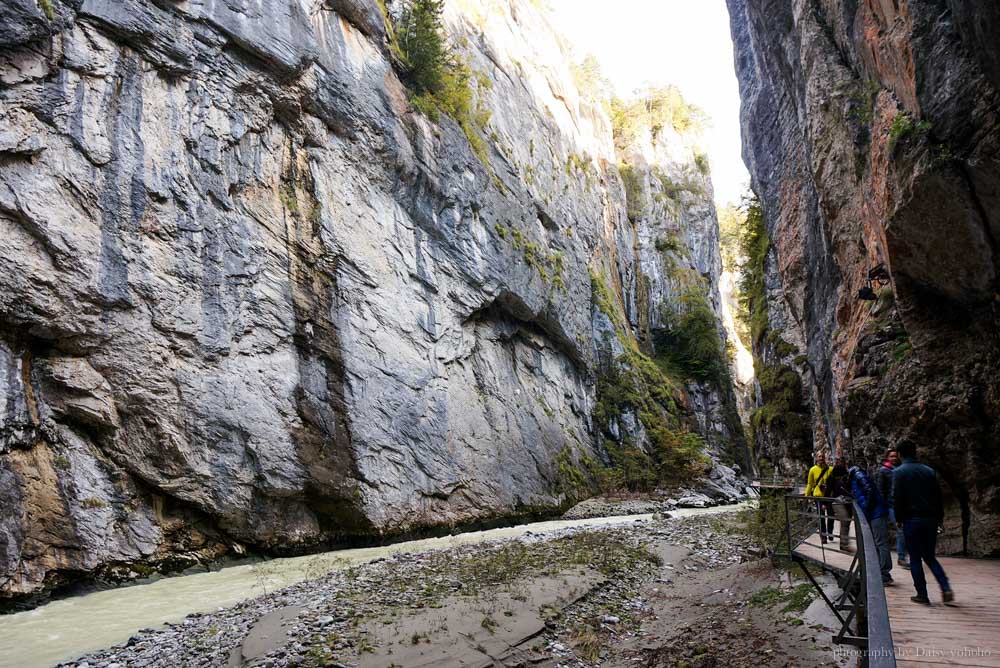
column 966, row 633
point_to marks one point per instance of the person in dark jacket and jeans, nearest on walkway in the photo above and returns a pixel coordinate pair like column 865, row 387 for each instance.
column 919, row 512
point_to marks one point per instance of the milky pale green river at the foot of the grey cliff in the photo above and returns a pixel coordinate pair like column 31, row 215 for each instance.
column 67, row 628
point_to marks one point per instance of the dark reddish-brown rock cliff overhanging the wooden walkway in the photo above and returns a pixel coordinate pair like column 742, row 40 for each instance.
column 872, row 132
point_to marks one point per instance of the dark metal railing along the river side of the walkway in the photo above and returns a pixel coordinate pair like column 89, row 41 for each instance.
column 861, row 606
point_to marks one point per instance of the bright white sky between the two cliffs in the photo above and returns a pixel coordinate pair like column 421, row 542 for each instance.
column 682, row 42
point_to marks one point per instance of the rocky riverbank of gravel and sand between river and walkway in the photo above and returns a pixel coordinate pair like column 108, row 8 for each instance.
column 654, row 591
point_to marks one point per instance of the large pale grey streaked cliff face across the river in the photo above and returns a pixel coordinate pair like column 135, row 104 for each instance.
column 249, row 298
